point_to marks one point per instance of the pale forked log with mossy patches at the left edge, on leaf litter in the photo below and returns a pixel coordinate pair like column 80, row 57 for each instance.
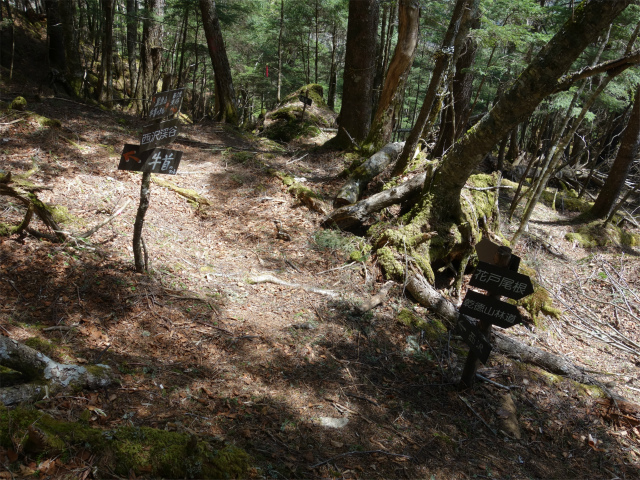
column 44, row 375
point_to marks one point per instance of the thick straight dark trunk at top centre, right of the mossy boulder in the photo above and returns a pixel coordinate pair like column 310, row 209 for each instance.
column 359, row 71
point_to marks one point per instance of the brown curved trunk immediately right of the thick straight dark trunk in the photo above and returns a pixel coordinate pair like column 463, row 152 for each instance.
column 399, row 68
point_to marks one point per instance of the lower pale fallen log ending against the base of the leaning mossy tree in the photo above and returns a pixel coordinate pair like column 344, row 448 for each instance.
column 351, row 216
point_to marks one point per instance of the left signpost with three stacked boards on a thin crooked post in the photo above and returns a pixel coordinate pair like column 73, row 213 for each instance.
column 148, row 158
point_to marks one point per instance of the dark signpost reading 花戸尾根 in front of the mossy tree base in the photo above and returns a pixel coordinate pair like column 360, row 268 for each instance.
column 497, row 274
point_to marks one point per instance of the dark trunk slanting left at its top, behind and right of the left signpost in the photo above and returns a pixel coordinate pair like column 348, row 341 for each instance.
column 227, row 107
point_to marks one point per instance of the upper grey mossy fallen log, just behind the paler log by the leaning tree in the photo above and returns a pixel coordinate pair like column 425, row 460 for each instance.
column 357, row 182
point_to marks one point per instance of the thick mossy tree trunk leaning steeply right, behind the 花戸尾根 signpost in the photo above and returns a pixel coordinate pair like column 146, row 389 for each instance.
column 439, row 207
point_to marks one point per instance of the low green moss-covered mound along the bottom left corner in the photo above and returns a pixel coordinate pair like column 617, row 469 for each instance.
column 123, row 451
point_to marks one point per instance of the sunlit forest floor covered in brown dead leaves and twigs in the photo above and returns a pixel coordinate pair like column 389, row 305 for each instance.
column 308, row 386
